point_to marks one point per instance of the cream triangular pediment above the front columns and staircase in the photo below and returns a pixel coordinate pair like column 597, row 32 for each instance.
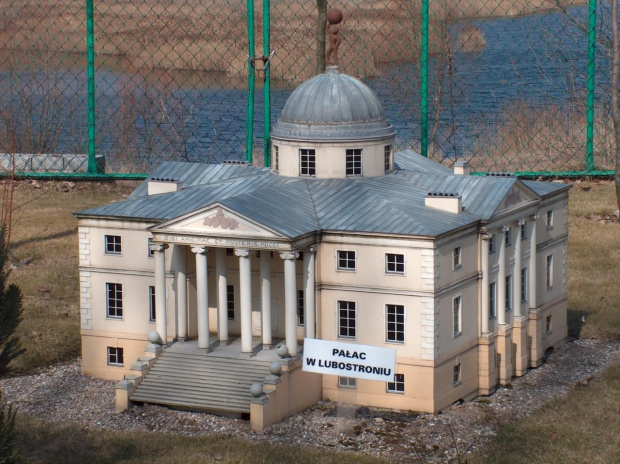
column 216, row 220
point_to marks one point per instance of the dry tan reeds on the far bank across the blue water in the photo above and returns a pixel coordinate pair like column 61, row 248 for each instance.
column 211, row 35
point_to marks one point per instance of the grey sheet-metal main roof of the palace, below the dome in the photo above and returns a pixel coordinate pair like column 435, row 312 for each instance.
column 390, row 204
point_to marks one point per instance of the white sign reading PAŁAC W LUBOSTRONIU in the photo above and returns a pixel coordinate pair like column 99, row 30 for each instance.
column 349, row 360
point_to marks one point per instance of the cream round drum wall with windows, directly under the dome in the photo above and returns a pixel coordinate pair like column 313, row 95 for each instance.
column 331, row 157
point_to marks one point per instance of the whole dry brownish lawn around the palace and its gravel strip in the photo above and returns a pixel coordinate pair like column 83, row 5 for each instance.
column 583, row 427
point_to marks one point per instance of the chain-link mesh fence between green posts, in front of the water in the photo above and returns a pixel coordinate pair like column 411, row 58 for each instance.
column 507, row 79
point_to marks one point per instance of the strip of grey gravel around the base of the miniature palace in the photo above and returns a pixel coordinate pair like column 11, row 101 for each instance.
column 60, row 394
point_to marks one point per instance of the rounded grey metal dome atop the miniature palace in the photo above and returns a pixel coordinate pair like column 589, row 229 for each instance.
column 333, row 106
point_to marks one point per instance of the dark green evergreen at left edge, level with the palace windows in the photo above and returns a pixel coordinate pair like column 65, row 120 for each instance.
column 10, row 309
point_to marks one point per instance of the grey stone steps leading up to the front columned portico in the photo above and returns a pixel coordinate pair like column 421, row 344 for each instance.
column 201, row 382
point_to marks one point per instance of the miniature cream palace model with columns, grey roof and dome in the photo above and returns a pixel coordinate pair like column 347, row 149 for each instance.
column 192, row 286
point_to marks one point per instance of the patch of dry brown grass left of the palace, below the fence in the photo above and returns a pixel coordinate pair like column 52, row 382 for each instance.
column 45, row 235
